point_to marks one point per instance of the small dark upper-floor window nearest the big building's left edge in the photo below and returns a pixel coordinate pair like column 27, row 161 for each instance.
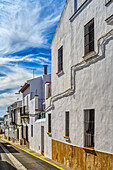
column 60, row 59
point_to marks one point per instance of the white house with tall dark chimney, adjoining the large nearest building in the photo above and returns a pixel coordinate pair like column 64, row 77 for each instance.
column 33, row 117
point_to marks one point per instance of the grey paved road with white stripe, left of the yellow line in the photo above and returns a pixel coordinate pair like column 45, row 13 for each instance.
column 11, row 158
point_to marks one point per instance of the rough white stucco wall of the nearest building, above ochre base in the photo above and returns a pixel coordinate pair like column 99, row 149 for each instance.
column 93, row 81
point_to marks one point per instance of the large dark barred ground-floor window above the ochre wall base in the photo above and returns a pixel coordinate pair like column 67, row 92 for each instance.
column 89, row 127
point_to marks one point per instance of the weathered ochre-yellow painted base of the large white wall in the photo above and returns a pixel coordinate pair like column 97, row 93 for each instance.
column 79, row 158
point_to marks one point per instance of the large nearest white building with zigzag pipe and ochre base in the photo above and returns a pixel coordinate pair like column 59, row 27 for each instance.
column 80, row 110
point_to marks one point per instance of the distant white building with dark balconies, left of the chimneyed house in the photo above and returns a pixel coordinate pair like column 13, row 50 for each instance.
column 13, row 127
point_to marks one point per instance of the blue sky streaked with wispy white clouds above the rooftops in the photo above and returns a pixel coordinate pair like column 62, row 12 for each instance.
column 26, row 31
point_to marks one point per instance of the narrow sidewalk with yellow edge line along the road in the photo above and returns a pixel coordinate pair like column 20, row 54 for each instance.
column 37, row 155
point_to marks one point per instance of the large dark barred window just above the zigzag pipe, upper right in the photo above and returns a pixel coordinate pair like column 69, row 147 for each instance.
column 89, row 37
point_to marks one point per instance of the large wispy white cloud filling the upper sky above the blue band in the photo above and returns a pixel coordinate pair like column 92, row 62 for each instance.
column 22, row 24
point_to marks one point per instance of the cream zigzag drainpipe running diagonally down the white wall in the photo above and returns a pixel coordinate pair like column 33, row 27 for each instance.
column 93, row 56
